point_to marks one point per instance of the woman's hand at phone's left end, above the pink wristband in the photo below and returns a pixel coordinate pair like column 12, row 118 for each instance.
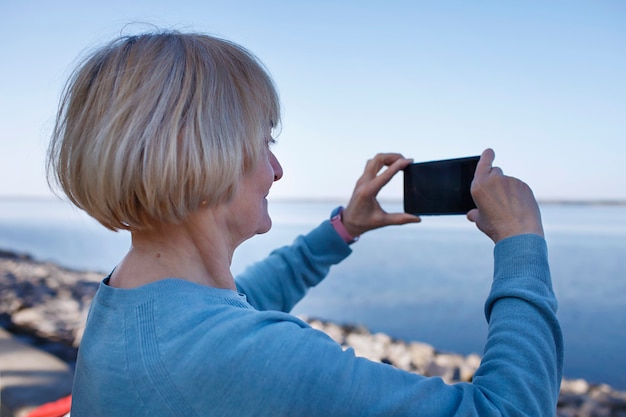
column 363, row 212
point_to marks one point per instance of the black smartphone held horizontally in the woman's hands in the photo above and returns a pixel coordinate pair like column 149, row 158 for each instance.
column 439, row 187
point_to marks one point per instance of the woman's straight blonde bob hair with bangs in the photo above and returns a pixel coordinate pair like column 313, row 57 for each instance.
column 151, row 127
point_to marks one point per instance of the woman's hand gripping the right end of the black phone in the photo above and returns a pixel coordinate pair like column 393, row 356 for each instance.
column 506, row 206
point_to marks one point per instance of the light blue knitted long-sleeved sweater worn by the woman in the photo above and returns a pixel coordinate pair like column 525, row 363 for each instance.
column 174, row 348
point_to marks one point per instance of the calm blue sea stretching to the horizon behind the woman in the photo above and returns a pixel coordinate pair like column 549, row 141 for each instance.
column 422, row 282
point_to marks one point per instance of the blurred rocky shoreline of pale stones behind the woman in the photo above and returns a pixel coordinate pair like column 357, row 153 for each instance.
column 45, row 305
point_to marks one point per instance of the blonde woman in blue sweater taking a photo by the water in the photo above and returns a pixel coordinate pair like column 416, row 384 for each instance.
column 168, row 135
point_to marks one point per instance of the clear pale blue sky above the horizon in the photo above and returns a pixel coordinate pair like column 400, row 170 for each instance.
column 542, row 83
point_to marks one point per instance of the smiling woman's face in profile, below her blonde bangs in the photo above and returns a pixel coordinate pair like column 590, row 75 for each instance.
column 247, row 211
